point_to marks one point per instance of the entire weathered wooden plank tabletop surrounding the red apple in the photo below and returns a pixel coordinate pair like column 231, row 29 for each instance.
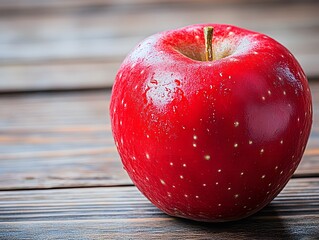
column 60, row 174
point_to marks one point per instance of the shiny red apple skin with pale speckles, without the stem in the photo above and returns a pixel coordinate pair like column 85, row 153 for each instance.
column 210, row 140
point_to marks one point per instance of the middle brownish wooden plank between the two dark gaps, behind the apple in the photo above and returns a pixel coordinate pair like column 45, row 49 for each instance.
column 58, row 140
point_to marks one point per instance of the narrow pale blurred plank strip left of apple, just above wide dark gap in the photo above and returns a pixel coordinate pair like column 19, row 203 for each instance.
column 58, row 76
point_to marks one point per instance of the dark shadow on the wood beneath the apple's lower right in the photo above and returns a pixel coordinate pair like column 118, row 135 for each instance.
column 266, row 224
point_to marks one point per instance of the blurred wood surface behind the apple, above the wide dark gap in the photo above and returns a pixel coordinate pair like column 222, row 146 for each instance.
column 80, row 44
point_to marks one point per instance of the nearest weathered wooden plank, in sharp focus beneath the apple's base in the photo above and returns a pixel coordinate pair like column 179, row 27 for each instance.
column 123, row 213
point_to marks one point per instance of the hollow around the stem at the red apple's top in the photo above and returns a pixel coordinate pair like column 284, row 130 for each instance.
column 191, row 43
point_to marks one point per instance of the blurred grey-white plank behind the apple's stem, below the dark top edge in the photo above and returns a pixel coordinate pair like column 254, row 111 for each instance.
column 93, row 34
